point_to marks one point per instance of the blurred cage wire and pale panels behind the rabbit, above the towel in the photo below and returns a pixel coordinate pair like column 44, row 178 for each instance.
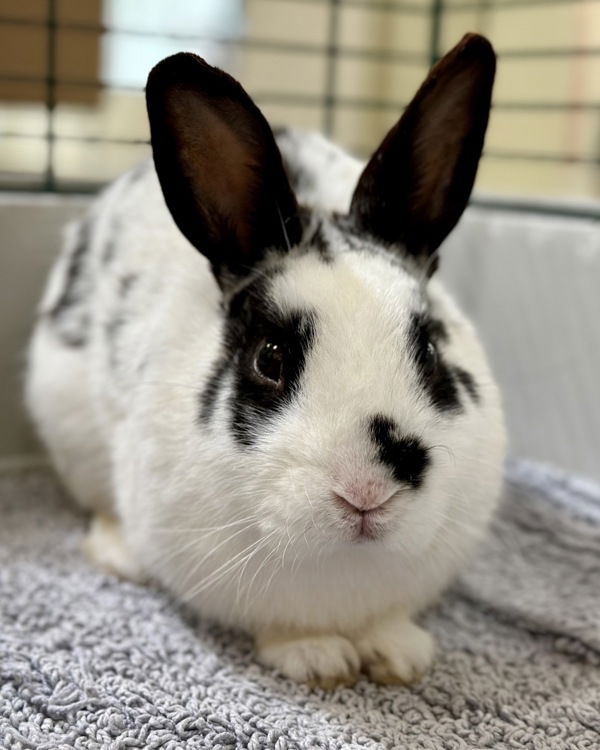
column 525, row 260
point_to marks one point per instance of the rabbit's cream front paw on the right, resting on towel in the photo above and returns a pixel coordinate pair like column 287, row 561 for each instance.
column 395, row 651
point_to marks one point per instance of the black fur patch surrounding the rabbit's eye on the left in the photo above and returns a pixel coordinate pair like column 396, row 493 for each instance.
column 250, row 321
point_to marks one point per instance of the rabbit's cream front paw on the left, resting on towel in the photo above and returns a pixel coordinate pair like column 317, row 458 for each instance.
column 324, row 661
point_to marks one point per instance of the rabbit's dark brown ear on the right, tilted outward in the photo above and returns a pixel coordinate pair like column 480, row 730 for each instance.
column 417, row 184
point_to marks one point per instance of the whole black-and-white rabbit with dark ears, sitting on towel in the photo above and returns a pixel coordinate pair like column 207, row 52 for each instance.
column 245, row 368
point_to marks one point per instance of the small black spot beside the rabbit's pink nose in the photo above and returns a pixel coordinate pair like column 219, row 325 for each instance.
column 405, row 456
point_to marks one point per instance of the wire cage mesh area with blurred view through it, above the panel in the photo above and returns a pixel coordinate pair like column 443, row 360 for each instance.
column 72, row 116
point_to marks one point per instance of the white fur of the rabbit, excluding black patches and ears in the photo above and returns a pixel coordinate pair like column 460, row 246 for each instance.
column 250, row 537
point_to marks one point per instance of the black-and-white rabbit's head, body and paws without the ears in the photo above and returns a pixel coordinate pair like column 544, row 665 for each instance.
column 319, row 515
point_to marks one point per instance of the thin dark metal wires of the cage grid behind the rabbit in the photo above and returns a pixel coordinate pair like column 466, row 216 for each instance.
column 332, row 51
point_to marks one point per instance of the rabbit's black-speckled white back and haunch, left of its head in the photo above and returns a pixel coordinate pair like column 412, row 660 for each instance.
column 95, row 327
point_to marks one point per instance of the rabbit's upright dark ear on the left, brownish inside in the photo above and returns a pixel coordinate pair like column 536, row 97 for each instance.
column 219, row 167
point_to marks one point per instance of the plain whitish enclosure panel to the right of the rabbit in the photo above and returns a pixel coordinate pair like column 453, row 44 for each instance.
column 532, row 284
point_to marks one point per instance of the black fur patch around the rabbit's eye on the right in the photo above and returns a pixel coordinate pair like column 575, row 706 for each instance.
column 437, row 378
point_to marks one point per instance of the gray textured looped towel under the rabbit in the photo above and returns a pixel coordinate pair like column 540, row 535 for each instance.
column 90, row 662
